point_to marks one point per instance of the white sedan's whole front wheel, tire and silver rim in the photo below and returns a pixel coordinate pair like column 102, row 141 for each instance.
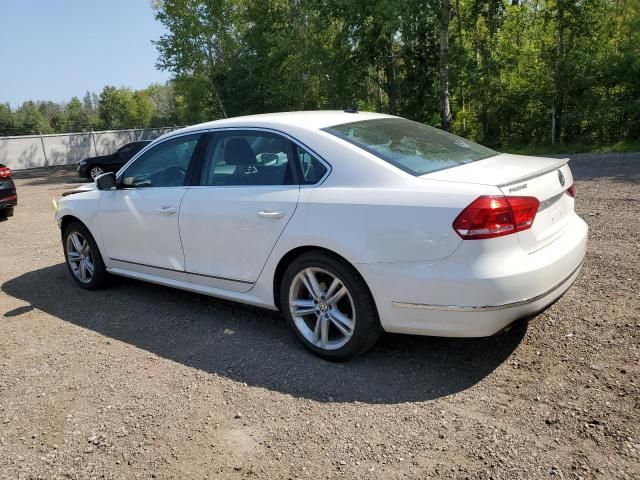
column 83, row 257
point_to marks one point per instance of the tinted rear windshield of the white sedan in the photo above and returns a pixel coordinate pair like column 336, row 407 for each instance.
column 411, row 146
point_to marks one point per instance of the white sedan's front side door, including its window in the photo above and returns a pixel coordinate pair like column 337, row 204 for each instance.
column 139, row 220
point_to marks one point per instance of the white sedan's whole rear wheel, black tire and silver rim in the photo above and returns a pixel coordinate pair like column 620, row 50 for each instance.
column 329, row 307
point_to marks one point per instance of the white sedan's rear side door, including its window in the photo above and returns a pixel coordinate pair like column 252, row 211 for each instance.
column 244, row 196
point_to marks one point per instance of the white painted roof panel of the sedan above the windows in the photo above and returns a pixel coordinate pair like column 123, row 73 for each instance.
column 311, row 120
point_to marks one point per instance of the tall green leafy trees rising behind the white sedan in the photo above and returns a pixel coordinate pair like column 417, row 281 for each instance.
column 518, row 69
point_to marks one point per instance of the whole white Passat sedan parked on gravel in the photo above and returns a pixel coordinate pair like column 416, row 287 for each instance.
column 349, row 223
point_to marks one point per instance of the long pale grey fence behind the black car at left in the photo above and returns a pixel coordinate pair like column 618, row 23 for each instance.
column 33, row 151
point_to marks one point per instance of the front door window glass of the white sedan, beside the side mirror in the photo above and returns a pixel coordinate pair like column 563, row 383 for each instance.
column 165, row 165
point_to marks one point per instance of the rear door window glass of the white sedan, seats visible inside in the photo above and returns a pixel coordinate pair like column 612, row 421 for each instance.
column 246, row 158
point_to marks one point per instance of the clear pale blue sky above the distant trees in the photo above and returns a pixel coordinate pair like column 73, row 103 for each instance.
column 54, row 50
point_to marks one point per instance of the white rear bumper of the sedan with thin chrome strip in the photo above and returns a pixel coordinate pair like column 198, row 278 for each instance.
column 476, row 292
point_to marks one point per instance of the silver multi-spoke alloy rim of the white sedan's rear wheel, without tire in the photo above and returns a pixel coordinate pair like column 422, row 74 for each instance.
column 322, row 308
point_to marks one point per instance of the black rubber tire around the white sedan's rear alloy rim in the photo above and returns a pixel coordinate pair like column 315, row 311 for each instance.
column 367, row 328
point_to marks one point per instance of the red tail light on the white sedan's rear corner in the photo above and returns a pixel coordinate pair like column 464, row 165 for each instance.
column 494, row 216
